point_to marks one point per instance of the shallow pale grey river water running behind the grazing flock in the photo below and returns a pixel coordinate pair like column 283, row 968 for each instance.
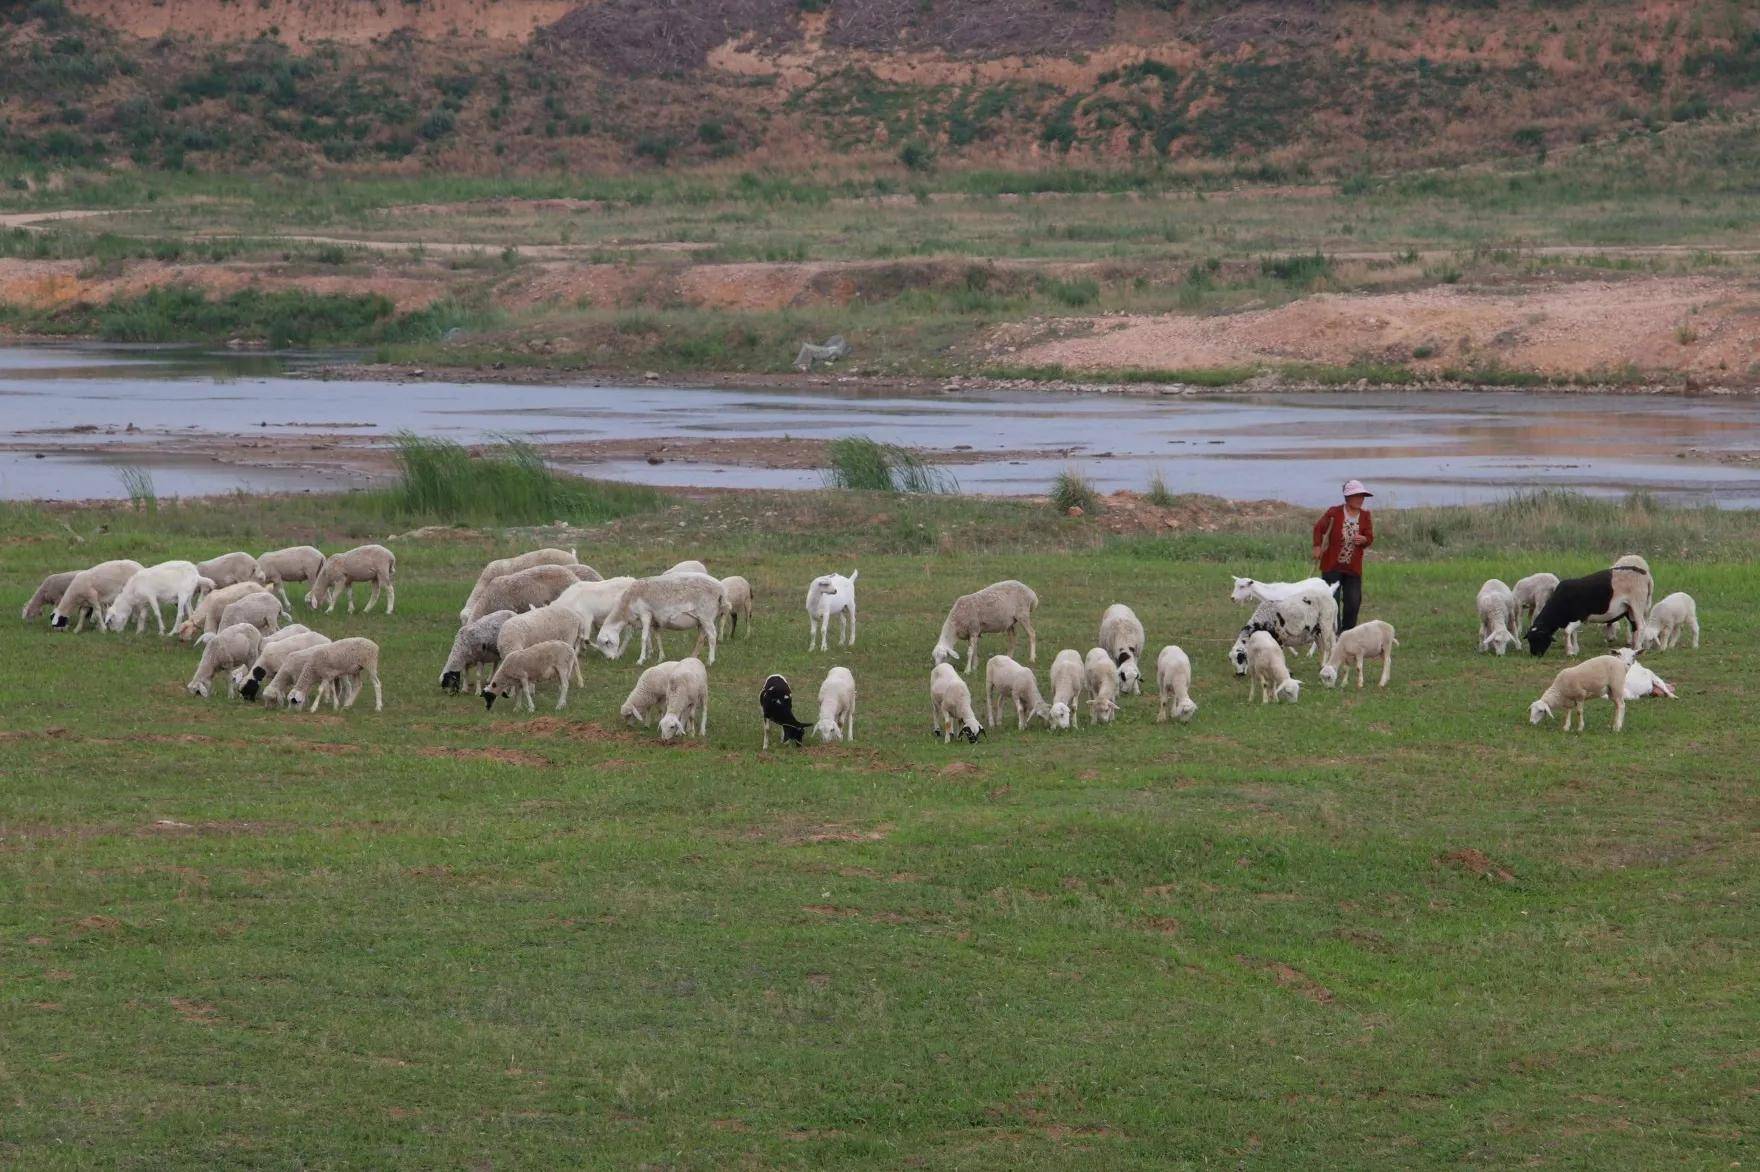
column 62, row 406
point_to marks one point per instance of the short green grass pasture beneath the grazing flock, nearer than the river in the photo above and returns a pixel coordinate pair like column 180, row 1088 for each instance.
column 1395, row 928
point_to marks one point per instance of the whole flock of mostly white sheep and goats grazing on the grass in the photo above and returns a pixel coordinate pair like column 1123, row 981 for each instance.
column 527, row 620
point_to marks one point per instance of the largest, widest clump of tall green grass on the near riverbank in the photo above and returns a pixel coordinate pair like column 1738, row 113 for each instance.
column 506, row 485
